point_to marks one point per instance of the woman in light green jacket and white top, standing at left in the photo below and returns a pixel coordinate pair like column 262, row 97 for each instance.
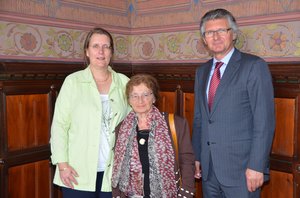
column 90, row 104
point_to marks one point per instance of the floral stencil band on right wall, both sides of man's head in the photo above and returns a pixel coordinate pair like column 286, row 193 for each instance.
column 269, row 41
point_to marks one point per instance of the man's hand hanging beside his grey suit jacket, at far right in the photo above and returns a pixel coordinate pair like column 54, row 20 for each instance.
column 254, row 179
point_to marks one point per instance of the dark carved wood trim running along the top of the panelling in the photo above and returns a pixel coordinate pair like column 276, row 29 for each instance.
column 283, row 73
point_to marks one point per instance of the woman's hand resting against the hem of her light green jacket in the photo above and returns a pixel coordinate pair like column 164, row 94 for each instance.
column 67, row 174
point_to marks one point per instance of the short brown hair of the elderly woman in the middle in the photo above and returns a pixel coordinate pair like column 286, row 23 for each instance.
column 146, row 79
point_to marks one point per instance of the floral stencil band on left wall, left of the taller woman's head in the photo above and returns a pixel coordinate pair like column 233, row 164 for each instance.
column 40, row 41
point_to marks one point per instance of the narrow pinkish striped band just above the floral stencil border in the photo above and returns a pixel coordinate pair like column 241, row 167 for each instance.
column 46, row 21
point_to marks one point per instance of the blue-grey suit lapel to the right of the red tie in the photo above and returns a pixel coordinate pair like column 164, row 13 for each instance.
column 231, row 69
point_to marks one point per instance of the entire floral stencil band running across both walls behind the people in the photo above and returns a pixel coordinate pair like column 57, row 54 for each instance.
column 26, row 42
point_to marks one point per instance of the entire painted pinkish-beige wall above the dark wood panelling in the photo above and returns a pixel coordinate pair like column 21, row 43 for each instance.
column 144, row 30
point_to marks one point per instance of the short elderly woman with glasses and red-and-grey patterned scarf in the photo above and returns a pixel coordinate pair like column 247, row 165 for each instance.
column 145, row 162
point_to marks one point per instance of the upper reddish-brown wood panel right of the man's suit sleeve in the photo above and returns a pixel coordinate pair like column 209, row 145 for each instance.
column 283, row 143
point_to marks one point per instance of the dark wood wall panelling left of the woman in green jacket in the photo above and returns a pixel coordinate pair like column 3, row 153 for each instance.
column 27, row 97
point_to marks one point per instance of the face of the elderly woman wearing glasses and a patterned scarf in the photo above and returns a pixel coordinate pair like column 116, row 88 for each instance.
column 141, row 99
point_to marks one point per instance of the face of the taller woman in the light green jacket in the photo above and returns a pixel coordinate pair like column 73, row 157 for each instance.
column 99, row 51
